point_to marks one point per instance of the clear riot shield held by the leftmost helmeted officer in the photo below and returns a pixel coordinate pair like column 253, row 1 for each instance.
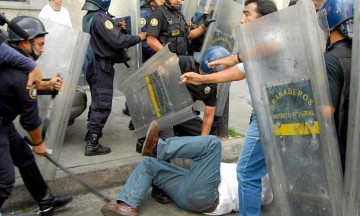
column 64, row 48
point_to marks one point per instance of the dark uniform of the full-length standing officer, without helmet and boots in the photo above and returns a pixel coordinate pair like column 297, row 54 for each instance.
column 107, row 42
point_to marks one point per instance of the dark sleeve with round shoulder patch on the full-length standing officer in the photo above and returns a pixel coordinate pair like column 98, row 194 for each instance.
column 105, row 28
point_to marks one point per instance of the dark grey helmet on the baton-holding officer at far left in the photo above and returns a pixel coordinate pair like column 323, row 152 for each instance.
column 31, row 25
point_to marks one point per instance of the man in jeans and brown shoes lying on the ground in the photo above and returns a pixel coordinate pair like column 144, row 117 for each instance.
column 208, row 186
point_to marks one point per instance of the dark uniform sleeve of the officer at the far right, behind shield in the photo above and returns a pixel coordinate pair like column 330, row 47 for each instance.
column 335, row 77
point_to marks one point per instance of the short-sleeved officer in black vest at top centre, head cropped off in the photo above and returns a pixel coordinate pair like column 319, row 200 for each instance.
column 167, row 26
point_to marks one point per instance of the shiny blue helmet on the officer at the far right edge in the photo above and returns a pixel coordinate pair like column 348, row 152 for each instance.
column 337, row 14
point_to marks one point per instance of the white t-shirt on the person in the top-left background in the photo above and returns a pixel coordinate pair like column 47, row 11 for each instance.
column 61, row 16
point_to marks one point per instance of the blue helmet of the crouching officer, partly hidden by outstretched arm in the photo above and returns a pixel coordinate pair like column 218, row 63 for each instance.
column 212, row 54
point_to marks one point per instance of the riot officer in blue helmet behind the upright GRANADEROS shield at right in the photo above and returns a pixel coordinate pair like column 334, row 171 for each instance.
column 336, row 19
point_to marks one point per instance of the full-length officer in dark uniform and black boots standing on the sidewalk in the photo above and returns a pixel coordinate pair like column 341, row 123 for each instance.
column 107, row 44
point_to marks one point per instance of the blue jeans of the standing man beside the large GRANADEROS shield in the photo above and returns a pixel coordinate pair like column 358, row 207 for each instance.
column 251, row 168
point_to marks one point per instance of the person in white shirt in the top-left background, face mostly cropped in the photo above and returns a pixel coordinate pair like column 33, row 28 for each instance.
column 55, row 12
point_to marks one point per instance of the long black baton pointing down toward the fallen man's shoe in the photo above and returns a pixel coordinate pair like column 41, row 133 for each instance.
column 73, row 175
